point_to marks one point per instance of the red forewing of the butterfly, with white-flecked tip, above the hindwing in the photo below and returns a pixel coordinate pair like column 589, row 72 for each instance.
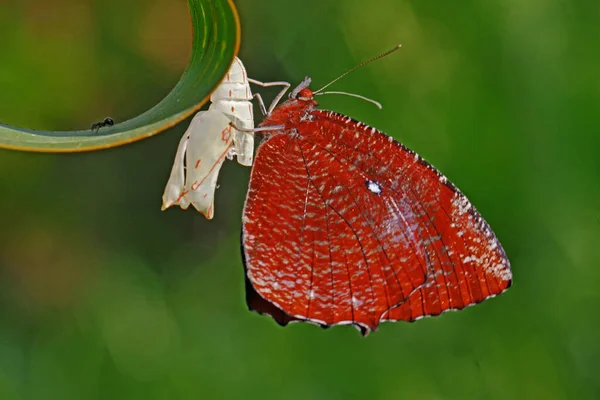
column 463, row 259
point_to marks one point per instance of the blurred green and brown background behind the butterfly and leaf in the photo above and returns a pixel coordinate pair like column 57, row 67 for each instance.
column 102, row 296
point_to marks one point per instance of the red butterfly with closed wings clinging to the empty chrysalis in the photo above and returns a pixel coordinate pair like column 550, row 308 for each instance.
column 344, row 225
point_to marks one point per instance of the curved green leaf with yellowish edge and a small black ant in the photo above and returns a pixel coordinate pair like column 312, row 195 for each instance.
column 216, row 38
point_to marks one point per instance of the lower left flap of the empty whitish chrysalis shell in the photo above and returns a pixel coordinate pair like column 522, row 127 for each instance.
column 199, row 157
